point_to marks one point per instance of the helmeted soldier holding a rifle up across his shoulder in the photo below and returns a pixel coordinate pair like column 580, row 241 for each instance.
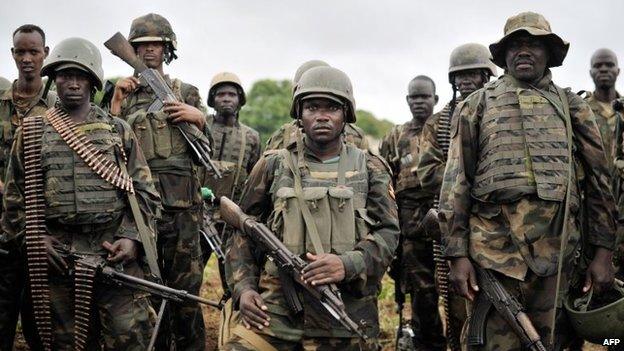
column 173, row 170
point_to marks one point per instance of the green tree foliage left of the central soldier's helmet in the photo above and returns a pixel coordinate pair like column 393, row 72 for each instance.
column 268, row 106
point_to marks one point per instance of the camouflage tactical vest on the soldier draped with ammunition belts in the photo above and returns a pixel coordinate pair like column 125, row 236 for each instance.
column 73, row 192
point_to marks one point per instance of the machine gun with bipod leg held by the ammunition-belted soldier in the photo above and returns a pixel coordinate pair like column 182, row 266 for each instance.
column 110, row 275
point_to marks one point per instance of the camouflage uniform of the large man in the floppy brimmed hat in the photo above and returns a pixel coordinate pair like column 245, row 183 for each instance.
column 502, row 203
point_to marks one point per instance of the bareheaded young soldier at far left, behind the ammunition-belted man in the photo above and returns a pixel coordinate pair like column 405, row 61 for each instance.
column 25, row 97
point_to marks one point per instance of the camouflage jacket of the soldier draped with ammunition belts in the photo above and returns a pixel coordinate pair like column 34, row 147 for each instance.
column 92, row 227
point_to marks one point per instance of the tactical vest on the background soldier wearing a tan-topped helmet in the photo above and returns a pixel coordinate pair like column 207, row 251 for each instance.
column 231, row 154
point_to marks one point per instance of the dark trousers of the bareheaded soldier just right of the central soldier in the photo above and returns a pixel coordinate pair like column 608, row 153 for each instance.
column 418, row 280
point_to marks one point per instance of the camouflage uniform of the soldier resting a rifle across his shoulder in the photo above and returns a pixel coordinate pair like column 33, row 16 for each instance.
column 175, row 175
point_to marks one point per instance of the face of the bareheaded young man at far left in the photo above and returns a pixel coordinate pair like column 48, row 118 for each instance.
column 29, row 52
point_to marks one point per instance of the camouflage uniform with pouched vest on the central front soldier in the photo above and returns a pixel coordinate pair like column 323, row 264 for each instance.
column 376, row 227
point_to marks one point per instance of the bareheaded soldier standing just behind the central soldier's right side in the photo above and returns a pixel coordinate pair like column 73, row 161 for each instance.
column 401, row 148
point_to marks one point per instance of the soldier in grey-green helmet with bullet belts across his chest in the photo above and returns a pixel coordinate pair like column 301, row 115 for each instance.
column 84, row 209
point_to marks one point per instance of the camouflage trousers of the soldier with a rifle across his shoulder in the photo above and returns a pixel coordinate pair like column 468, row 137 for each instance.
column 182, row 268
